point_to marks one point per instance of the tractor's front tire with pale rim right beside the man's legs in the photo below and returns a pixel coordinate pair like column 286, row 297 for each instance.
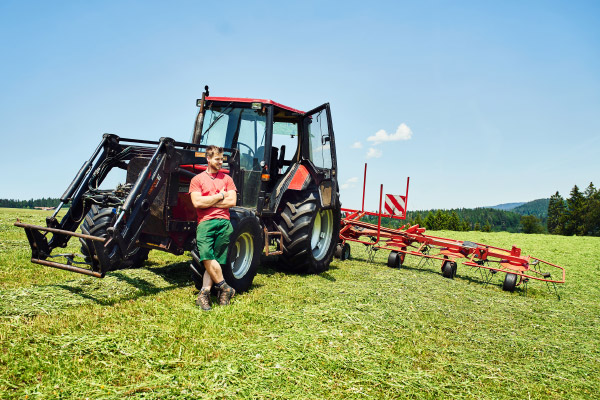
column 245, row 248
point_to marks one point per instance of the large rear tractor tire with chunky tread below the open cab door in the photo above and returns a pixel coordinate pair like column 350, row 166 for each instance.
column 309, row 233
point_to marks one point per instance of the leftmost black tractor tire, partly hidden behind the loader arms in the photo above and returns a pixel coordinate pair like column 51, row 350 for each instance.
column 96, row 223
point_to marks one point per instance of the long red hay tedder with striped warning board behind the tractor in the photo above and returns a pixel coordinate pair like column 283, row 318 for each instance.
column 412, row 240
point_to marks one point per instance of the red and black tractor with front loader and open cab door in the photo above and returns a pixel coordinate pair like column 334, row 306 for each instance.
column 282, row 161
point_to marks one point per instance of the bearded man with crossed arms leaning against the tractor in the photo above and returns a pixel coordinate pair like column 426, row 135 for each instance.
column 213, row 193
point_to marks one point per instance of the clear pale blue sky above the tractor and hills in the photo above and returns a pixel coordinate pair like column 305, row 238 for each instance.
column 480, row 103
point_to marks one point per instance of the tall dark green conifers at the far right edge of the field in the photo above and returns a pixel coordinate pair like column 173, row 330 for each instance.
column 577, row 215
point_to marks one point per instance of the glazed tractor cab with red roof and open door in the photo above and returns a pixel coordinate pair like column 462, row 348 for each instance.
column 272, row 141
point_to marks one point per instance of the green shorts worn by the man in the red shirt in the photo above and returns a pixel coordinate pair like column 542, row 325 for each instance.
column 212, row 239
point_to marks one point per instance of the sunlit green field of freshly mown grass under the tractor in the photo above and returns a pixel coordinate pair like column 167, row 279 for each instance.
column 359, row 330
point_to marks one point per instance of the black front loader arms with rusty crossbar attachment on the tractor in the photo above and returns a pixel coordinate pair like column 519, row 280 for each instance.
column 131, row 213
